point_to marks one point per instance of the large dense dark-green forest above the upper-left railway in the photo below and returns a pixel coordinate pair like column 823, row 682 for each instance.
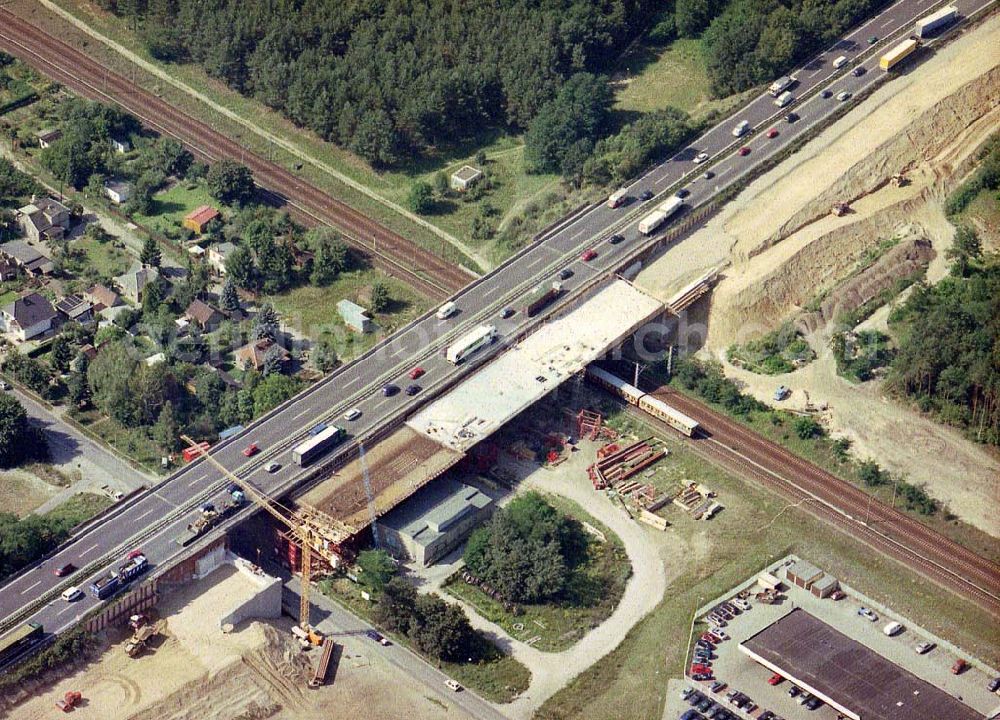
column 393, row 78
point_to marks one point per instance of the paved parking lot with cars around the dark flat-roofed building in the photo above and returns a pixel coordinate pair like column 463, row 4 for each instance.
column 742, row 674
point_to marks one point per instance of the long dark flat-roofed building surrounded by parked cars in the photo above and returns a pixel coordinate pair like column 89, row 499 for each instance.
column 851, row 678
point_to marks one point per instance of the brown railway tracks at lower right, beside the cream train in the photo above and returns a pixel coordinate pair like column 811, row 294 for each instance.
column 889, row 531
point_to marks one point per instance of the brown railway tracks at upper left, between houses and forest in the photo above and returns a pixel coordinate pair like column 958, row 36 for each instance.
column 309, row 205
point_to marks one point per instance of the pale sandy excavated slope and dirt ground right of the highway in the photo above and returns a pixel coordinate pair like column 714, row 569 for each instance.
column 784, row 247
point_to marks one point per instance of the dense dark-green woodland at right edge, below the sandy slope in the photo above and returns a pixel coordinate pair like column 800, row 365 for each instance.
column 953, row 371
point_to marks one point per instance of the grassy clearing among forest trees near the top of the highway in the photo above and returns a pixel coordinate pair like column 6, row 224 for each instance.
column 651, row 78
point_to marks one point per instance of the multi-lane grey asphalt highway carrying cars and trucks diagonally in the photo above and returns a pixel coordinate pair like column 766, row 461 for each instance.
column 156, row 517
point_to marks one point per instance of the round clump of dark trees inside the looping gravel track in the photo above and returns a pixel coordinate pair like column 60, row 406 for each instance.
column 528, row 550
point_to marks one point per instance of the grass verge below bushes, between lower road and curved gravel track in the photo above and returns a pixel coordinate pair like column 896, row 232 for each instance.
column 500, row 680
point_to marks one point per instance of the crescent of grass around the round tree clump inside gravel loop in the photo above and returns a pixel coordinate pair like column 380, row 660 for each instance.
column 594, row 591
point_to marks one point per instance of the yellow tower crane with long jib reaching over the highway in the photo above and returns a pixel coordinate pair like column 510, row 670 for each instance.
column 312, row 530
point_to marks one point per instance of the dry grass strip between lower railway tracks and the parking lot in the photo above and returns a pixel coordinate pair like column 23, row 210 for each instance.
column 755, row 528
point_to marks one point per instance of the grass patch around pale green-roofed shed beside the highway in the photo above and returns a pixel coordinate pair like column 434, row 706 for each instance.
column 313, row 310
